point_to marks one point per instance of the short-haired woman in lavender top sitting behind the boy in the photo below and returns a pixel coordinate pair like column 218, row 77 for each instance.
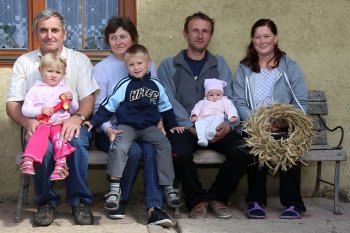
column 120, row 34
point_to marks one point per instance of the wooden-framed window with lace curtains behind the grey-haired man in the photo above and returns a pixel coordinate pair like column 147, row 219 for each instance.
column 85, row 20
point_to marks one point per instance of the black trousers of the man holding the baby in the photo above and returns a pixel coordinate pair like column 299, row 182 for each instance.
column 229, row 174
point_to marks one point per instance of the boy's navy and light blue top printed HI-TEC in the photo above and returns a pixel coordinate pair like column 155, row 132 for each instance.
column 137, row 102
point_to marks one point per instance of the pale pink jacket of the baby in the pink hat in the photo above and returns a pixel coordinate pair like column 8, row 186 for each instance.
column 205, row 108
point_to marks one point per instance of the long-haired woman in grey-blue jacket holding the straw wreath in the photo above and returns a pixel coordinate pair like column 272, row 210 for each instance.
column 264, row 76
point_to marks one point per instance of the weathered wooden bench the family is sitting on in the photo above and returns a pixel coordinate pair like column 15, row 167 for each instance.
column 319, row 152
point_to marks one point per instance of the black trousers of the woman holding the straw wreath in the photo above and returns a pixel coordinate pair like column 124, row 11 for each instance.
column 289, row 185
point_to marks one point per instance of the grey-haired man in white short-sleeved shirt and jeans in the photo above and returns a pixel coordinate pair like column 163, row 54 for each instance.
column 51, row 31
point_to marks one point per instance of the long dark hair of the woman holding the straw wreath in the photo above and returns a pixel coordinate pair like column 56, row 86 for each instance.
column 252, row 59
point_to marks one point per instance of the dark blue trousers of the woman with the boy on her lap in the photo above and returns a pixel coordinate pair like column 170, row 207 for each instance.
column 137, row 153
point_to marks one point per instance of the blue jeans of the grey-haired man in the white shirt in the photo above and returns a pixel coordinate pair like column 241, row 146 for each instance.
column 76, row 183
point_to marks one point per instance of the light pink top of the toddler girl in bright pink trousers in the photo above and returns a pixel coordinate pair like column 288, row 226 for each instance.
column 42, row 95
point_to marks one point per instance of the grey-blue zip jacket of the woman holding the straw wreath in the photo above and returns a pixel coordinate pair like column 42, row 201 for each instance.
column 290, row 88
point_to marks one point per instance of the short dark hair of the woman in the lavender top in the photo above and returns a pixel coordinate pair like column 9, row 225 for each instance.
column 116, row 22
